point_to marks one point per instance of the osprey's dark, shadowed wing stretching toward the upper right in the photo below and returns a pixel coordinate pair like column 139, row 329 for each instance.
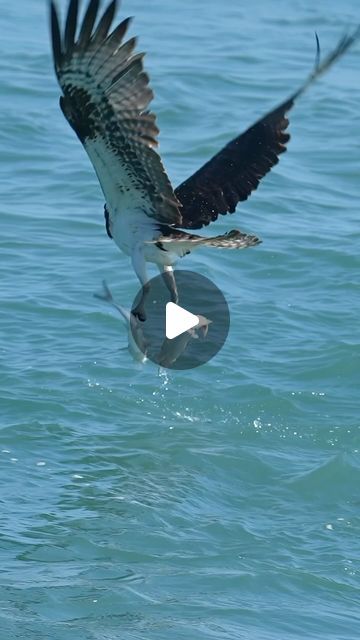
column 233, row 173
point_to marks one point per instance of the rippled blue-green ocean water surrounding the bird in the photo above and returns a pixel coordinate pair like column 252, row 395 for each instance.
column 221, row 502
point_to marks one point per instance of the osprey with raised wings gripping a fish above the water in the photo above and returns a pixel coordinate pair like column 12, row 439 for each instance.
column 105, row 99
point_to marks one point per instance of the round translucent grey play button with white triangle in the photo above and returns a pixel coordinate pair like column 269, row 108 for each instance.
column 185, row 334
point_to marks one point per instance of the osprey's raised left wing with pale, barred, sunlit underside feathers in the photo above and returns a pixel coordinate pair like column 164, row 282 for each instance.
column 105, row 98
